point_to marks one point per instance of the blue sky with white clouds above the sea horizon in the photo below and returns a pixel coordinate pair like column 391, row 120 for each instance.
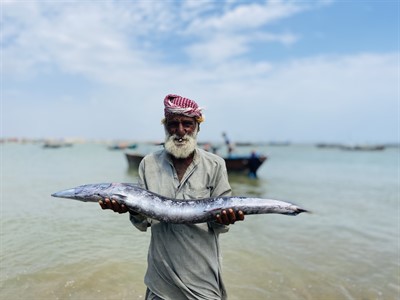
column 274, row 70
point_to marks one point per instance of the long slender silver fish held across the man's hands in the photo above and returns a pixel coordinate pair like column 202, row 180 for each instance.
column 171, row 210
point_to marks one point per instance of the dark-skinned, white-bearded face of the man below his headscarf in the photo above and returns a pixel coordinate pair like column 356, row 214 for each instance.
column 181, row 133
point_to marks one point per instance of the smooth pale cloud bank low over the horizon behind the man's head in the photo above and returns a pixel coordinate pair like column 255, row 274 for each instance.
column 327, row 98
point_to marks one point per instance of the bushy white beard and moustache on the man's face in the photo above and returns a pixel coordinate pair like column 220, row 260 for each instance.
column 180, row 148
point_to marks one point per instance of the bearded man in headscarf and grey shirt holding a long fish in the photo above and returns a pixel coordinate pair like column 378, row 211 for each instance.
column 183, row 259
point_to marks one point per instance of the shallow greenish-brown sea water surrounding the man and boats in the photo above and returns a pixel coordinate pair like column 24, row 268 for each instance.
column 348, row 248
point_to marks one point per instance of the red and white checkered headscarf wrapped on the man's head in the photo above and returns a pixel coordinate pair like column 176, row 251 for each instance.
column 174, row 104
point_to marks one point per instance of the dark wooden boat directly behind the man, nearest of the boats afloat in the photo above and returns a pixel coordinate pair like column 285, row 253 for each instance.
column 235, row 163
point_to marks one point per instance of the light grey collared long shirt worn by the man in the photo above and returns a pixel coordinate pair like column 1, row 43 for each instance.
column 184, row 259
